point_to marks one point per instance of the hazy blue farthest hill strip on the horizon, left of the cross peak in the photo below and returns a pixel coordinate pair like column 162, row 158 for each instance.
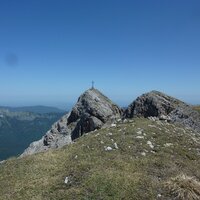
column 34, row 109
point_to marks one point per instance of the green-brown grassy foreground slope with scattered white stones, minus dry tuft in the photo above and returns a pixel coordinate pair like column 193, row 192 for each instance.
column 94, row 173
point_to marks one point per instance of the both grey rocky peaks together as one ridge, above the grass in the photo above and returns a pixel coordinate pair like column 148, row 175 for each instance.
column 94, row 110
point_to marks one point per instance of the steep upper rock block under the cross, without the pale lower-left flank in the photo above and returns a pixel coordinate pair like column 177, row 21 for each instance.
column 91, row 112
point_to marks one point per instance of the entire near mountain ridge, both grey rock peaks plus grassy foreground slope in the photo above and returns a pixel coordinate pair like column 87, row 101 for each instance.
column 149, row 151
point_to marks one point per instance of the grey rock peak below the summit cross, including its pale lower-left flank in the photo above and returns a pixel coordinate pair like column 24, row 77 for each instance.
column 92, row 111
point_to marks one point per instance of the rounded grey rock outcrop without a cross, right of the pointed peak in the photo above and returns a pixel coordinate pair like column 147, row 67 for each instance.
column 157, row 104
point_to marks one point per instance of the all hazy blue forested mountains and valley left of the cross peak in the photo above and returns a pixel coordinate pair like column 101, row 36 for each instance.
column 21, row 126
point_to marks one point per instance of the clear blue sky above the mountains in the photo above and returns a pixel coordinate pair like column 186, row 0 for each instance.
column 51, row 50
